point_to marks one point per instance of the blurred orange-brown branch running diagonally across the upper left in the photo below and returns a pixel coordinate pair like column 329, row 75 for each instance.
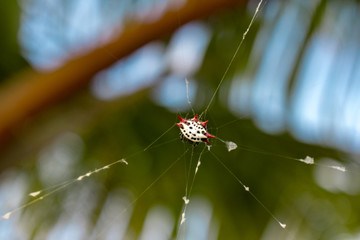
column 37, row 91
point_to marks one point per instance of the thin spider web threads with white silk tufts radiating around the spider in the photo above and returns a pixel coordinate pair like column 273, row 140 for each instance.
column 40, row 195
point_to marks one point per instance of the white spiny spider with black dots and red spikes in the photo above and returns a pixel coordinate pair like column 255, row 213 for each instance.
column 194, row 130
